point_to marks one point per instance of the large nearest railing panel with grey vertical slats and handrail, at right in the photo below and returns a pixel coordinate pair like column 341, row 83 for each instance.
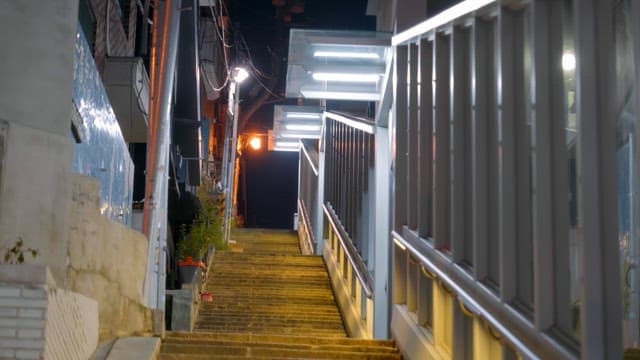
column 483, row 171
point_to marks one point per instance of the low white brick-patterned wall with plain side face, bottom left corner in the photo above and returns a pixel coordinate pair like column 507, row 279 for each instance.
column 37, row 320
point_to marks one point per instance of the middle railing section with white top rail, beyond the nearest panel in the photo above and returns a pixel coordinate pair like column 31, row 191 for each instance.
column 348, row 208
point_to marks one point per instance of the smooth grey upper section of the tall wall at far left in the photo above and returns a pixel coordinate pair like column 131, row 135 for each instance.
column 36, row 77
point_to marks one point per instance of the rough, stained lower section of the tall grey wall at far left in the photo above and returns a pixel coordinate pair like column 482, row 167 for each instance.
column 33, row 206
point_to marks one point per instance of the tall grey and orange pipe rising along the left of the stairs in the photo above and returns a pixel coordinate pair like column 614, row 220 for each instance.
column 158, row 141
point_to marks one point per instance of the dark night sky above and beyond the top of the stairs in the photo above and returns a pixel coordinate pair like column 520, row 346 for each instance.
column 269, row 180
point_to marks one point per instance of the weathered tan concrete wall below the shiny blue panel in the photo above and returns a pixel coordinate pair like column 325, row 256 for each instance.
column 107, row 261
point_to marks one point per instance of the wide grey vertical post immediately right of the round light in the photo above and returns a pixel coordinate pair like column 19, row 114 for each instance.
column 597, row 194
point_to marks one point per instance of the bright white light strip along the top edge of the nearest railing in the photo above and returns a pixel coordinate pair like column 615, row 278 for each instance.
column 443, row 18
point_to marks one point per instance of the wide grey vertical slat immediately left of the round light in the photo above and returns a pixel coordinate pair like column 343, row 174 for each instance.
column 550, row 224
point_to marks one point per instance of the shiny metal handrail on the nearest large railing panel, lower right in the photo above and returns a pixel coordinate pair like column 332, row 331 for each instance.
column 472, row 304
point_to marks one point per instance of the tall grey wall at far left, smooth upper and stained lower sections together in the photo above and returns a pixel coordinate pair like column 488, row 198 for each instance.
column 35, row 109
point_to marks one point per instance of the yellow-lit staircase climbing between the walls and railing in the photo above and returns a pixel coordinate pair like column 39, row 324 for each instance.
column 270, row 302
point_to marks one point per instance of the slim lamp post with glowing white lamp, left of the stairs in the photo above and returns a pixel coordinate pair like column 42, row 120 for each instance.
column 229, row 157
